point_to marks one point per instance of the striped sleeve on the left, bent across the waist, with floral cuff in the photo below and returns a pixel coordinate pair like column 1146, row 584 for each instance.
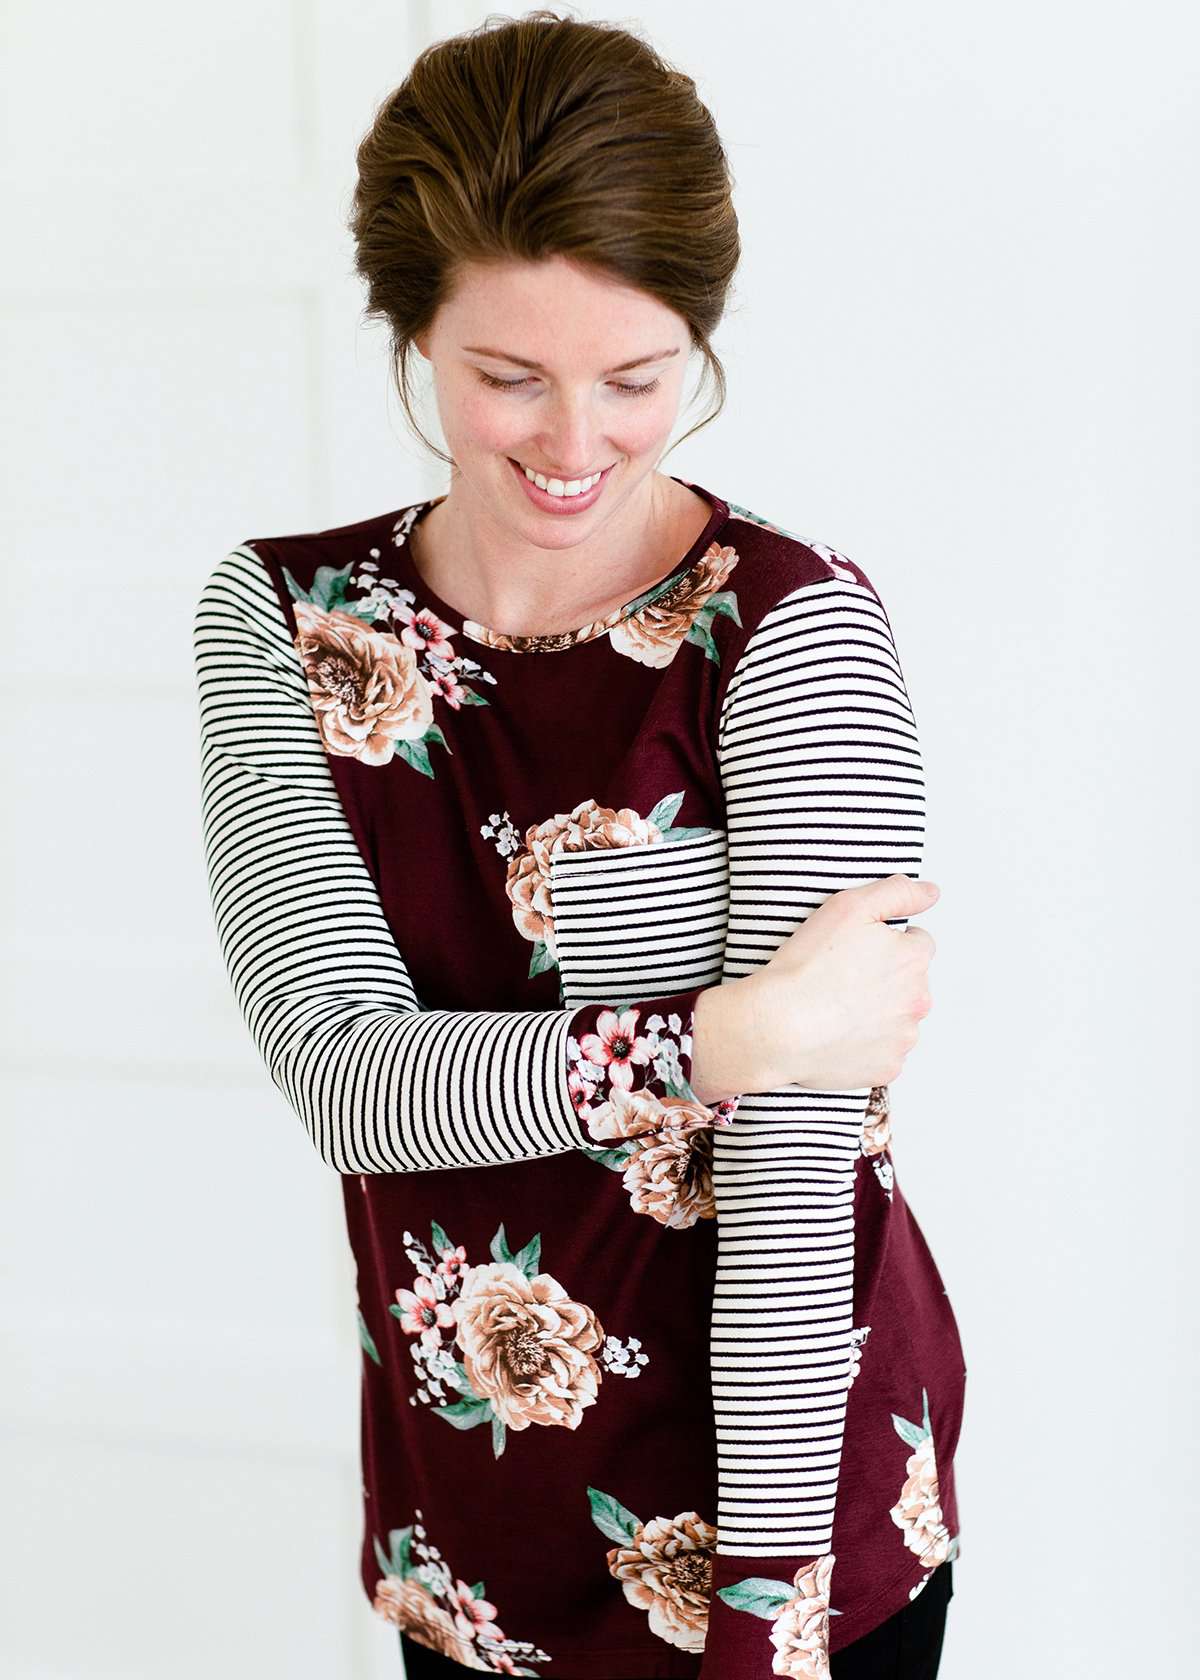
column 381, row 1084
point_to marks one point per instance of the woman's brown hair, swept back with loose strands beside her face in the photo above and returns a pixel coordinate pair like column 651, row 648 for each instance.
column 544, row 137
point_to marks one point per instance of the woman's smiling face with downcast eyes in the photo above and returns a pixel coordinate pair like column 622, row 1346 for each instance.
column 532, row 365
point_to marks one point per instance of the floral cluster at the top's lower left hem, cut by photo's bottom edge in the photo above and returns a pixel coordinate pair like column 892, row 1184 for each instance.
column 431, row 1605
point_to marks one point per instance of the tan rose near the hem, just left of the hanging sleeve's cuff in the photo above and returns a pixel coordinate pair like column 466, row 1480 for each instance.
column 668, row 1572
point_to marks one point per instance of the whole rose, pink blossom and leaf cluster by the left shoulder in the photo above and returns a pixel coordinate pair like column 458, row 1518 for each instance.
column 374, row 690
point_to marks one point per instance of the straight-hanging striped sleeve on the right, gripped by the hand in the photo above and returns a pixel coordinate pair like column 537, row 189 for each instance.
column 824, row 784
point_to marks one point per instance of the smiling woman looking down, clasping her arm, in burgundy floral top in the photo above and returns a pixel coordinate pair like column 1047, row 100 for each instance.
column 559, row 829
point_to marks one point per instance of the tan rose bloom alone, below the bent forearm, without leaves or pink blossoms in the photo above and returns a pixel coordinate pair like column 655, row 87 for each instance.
column 527, row 1347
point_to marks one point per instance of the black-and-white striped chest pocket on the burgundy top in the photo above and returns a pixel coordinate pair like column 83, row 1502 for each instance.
column 641, row 921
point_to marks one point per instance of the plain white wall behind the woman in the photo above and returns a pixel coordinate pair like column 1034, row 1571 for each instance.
column 962, row 350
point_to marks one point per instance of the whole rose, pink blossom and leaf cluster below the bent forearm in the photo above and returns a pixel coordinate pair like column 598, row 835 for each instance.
column 505, row 1338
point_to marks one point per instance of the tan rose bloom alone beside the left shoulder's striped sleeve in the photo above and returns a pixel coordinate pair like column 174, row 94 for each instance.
column 366, row 688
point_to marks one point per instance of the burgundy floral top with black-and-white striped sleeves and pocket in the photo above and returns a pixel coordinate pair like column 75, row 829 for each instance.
column 651, row 1389
